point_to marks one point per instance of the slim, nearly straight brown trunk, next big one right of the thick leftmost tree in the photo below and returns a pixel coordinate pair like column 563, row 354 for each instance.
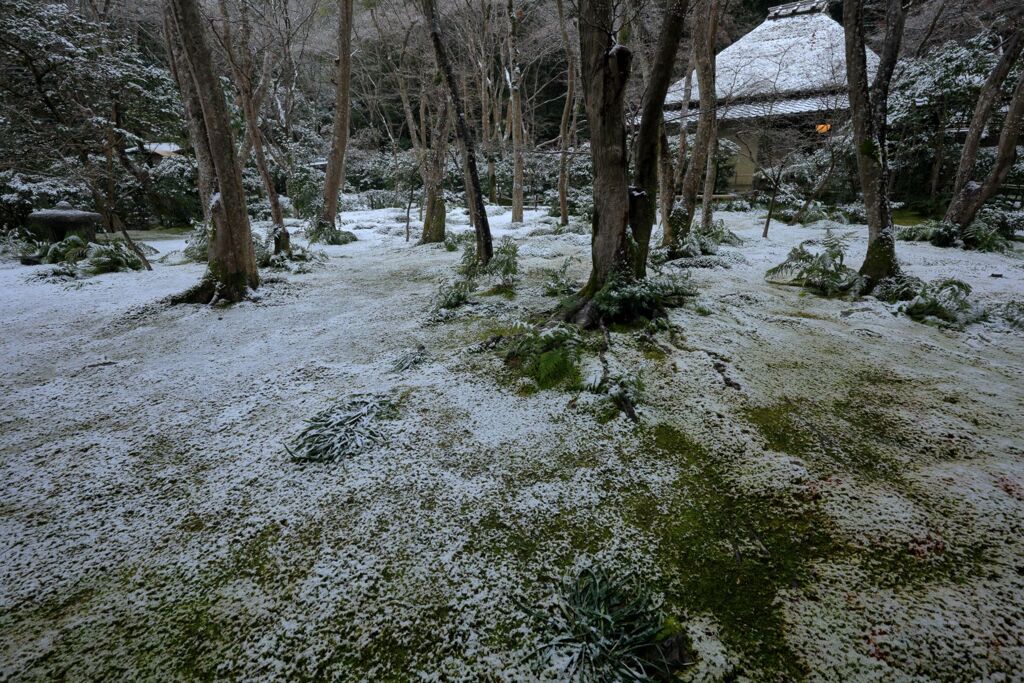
column 335, row 175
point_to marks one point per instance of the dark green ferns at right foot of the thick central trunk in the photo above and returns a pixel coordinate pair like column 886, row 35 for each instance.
column 625, row 302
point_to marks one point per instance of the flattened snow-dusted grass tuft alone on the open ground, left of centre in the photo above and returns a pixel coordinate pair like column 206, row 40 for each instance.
column 344, row 431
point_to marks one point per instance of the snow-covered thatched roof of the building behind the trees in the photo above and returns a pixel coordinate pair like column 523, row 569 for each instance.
column 798, row 51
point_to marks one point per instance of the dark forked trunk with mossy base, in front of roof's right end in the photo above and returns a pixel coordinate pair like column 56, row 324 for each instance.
column 869, row 109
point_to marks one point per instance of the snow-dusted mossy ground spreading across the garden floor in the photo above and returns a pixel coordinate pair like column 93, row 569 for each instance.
column 816, row 487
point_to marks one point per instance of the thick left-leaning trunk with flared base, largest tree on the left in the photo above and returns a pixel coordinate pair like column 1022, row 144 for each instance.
column 233, row 265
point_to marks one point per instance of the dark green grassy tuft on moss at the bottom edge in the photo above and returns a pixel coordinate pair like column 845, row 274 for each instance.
column 607, row 627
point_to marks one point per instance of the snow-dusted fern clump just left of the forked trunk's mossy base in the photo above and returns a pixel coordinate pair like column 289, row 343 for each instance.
column 823, row 272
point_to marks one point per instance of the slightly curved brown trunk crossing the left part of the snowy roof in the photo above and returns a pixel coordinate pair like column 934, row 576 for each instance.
column 704, row 54
